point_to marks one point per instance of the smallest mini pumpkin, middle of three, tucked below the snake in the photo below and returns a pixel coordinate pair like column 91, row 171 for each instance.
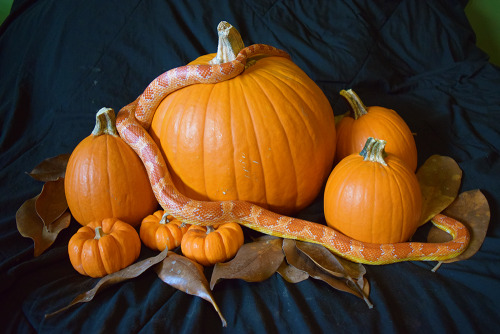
column 159, row 231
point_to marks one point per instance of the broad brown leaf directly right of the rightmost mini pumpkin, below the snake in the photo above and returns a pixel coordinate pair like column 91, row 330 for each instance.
column 255, row 261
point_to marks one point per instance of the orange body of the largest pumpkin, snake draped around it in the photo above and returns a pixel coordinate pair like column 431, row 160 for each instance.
column 266, row 136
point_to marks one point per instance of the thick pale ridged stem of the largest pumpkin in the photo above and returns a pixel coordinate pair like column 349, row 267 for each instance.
column 230, row 43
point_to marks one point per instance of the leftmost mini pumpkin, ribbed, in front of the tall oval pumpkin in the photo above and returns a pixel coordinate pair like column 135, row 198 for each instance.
column 103, row 247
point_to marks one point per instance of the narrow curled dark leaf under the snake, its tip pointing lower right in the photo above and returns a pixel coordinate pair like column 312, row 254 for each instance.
column 300, row 260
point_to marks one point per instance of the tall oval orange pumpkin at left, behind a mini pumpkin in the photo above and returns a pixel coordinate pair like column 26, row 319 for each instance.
column 105, row 178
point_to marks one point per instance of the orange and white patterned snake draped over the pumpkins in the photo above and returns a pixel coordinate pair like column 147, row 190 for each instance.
column 134, row 120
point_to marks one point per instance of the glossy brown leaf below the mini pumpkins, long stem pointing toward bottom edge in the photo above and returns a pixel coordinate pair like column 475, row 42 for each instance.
column 187, row 276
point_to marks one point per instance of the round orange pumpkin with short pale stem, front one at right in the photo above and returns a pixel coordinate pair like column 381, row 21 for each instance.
column 372, row 202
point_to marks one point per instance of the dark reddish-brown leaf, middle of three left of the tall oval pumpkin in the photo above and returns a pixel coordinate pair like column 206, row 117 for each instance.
column 51, row 203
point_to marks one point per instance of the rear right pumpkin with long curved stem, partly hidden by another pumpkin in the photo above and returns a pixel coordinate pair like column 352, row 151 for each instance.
column 376, row 122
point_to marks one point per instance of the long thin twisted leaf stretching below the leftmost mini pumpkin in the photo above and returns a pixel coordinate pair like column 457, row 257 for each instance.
column 127, row 273
